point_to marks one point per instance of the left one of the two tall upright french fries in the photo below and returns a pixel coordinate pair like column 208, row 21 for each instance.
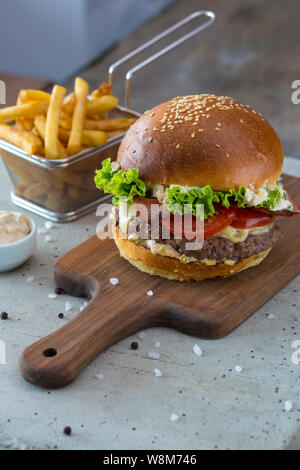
column 52, row 123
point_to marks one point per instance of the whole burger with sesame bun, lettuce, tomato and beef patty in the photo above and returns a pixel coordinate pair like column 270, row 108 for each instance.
column 196, row 151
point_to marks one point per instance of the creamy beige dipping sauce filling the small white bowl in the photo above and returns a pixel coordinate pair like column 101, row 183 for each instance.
column 13, row 227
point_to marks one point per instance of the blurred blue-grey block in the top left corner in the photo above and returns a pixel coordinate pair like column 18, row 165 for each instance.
column 55, row 38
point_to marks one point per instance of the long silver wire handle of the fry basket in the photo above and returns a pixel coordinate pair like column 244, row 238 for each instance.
column 211, row 18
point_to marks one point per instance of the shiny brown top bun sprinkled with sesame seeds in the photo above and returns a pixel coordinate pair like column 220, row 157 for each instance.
column 203, row 139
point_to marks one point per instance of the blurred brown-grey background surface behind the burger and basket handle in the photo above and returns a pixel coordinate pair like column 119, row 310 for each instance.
column 250, row 53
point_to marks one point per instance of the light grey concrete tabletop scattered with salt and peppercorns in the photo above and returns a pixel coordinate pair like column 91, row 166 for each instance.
column 117, row 402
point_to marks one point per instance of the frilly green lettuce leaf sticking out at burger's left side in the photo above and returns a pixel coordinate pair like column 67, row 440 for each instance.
column 120, row 183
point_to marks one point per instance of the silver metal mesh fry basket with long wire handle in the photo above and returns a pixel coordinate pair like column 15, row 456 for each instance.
column 63, row 190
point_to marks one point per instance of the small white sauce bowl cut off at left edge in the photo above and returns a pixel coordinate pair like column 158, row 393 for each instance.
column 14, row 254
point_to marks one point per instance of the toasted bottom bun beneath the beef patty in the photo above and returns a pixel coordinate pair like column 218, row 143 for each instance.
column 175, row 270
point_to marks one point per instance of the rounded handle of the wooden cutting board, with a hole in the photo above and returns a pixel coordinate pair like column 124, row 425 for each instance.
column 58, row 359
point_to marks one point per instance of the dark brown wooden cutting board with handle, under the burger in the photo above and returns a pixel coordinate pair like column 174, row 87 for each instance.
column 208, row 309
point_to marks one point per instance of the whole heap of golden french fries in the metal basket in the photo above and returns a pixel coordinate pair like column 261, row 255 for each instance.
column 48, row 123
